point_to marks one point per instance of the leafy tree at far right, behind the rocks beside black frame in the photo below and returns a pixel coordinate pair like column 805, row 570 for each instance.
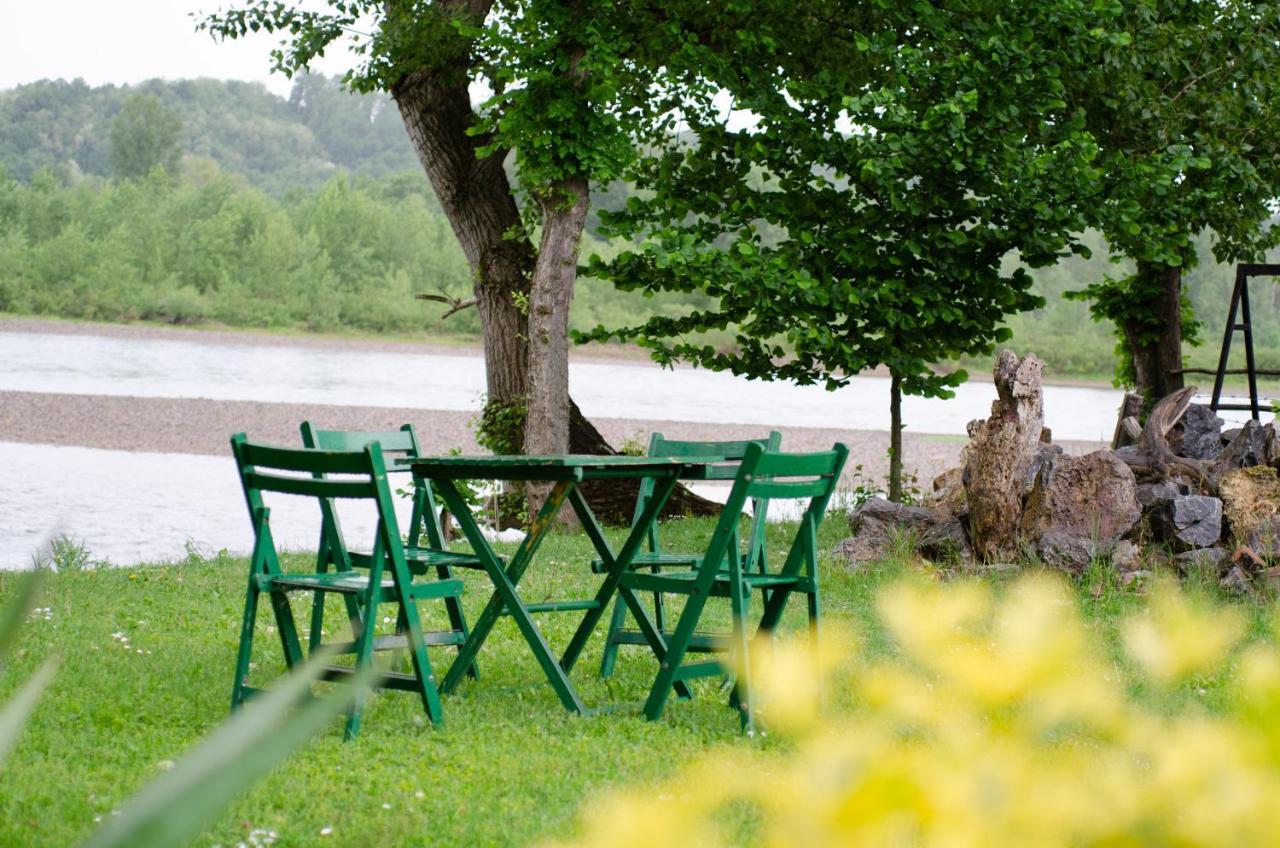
column 1185, row 110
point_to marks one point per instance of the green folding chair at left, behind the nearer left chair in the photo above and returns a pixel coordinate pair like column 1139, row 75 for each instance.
column 424, row 555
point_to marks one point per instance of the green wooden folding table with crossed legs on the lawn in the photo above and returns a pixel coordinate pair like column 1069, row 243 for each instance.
column 564, row 473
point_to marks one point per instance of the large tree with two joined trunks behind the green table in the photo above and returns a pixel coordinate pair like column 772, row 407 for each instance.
column 574, row 84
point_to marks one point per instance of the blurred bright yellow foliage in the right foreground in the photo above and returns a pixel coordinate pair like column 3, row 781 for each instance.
column 994, row 724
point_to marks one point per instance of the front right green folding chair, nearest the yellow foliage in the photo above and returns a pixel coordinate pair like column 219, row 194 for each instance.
column 723, row 572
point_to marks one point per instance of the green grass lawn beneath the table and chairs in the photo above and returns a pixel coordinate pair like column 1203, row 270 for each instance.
column 147, row 662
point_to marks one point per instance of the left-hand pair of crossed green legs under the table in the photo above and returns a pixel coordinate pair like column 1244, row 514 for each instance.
column 505, row 591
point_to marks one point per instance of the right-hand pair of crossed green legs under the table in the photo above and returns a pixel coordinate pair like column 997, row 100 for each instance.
column 618, row 564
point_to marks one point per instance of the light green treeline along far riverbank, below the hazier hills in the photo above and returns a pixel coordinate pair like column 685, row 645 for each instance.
column 208, row 248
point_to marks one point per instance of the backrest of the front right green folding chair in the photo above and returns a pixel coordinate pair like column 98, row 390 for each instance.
column 774, row 476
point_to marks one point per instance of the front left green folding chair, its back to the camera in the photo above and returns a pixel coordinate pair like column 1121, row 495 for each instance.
column 376, row 578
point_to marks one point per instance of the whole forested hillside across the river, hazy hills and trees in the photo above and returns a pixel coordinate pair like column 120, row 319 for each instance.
column 313, row 212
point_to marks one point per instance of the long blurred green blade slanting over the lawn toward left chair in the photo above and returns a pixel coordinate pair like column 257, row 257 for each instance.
column 177, row 808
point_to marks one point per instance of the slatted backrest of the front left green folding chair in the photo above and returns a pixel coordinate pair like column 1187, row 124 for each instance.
column 324, row 476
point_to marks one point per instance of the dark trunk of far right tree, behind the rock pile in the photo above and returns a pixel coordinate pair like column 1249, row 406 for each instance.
column 1158, row 357
